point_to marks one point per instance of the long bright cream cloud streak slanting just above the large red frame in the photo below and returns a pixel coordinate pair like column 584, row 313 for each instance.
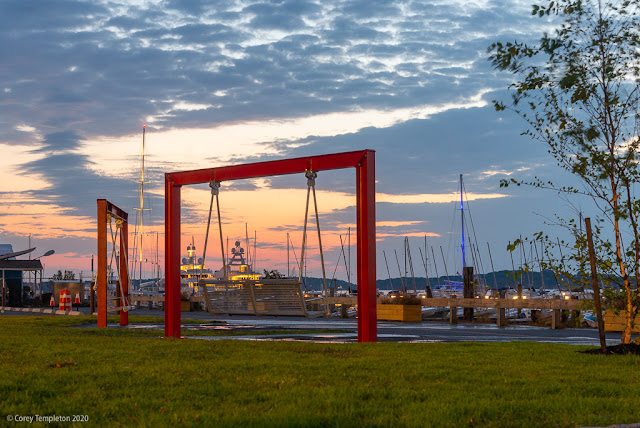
column 190, row 148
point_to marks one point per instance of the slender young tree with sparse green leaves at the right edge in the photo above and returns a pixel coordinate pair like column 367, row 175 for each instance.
column 578, row 92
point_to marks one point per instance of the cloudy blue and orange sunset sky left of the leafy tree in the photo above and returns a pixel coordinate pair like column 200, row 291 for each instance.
column 234, row 81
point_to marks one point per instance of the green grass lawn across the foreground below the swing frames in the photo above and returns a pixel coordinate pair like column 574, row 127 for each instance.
column 120, row 377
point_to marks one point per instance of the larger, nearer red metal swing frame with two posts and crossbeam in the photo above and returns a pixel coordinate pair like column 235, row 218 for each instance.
column 364, row 163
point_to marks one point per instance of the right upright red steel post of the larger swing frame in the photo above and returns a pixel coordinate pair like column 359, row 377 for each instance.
column 366, row 248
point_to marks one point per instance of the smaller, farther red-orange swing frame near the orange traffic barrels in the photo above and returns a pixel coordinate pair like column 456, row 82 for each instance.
column 105, row 209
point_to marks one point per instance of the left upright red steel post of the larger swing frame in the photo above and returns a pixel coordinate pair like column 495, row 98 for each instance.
column 172, row 258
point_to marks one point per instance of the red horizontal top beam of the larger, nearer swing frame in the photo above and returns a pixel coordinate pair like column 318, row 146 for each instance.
column 269, row 168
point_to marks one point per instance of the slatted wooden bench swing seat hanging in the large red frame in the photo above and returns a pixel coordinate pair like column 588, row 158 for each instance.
column 282, row 297
